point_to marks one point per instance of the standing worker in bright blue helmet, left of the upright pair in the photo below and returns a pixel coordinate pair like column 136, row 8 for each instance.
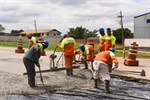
column 102, row 36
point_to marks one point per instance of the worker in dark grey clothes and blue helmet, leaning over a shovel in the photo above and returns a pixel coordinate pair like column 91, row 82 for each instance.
column 30, row 59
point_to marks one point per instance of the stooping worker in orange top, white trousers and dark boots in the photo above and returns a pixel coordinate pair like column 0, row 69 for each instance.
column 100, row 66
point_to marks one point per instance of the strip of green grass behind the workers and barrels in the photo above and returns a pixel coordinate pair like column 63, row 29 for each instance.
column 52, row 46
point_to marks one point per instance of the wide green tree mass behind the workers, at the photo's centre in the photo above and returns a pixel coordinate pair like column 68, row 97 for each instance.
column 80, row 33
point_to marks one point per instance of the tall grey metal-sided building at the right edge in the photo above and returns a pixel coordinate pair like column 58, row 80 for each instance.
column 142, row 26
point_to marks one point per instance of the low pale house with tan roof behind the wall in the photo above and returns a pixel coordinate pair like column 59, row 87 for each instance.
column 43, row 33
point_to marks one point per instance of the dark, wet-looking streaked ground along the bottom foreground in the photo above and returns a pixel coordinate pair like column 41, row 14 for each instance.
column 121, row 90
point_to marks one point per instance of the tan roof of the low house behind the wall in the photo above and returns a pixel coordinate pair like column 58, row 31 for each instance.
column 39, row 31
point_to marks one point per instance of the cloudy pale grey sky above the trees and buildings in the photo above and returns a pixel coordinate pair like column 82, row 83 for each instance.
column 65, row 14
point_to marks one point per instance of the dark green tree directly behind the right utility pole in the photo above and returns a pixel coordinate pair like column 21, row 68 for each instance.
column 118, row 34
